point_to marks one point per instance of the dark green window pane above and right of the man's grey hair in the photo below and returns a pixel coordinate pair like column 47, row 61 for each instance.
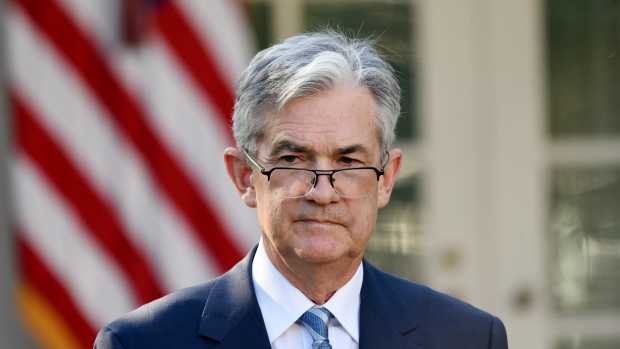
column 390, row 23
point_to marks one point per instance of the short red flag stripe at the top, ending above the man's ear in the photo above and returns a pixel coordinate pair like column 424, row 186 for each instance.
column 196, row 58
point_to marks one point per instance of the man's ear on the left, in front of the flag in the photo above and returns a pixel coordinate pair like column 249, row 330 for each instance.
column 240, row 173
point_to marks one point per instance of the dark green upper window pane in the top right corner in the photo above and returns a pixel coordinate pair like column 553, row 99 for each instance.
column 583, row 61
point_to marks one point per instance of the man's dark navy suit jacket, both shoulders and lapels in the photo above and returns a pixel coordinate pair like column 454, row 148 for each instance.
column 223, row 313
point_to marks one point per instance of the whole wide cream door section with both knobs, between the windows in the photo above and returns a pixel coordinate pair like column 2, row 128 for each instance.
column 483, row 131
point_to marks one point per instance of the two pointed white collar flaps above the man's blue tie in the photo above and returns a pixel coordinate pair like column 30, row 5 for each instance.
column 282, row 304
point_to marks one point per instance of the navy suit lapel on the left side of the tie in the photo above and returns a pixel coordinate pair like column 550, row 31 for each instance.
column 231, row 317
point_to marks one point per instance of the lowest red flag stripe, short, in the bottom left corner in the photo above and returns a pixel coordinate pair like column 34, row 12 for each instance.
column 40, row 277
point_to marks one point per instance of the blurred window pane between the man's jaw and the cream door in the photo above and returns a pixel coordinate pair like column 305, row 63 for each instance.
column 397, row 243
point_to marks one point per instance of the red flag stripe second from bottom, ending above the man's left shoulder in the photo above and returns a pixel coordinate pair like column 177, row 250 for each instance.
column 92, row 210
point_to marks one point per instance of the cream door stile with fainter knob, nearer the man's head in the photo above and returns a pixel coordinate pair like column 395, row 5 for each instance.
column 455, row 135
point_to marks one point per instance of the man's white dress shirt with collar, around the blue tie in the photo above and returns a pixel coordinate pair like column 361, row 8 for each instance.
column 281, row 304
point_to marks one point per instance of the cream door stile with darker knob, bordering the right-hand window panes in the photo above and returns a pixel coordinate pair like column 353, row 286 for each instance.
column 520, row 191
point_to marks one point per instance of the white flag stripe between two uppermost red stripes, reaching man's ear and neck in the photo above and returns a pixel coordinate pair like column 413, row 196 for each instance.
column 192, row 129
